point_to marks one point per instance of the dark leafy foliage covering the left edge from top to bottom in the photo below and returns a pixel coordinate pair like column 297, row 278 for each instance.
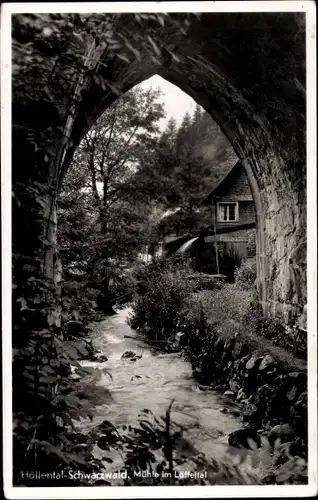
column 55, row 61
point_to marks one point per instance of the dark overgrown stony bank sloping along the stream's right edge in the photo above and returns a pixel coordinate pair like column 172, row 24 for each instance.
column 267, row 383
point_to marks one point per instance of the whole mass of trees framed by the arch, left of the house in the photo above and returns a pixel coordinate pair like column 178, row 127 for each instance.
column 122, row 177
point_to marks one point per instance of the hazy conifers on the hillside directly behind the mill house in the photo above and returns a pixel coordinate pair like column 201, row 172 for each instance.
column 188, row 162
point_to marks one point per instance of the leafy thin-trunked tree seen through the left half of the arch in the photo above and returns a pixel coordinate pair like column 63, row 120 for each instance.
column 103, row 219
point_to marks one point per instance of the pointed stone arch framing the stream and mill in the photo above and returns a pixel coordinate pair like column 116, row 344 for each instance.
column 248, row 72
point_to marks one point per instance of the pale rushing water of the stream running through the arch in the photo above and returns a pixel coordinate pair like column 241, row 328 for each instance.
column 152, row 382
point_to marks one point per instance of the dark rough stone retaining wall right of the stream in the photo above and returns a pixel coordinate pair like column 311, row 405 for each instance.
column 269, row 391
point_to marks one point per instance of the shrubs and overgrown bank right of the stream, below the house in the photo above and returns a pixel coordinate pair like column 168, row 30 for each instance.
column 233, row 349
